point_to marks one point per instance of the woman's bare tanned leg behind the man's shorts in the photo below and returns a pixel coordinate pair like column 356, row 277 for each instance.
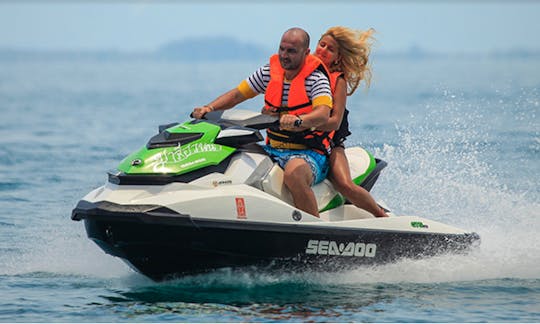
column 340, row 175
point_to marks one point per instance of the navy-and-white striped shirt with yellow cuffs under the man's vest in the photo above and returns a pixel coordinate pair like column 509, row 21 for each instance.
column 317, row 86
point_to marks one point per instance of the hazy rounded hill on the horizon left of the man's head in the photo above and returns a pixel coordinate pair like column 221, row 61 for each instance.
column 212, row 48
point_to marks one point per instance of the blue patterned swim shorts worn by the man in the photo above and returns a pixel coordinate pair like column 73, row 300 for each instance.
column 318, row 162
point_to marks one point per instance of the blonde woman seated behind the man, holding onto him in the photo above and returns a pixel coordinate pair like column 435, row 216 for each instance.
column 345, row 52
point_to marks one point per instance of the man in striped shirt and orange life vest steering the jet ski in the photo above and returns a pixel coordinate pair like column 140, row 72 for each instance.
column 296, row 87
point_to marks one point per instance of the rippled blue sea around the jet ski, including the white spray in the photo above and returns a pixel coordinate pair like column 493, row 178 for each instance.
column 461, row 135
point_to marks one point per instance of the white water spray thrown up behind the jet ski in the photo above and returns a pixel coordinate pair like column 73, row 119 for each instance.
column 446, row 167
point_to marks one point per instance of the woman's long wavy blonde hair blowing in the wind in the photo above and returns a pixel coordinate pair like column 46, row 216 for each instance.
column 354, row 48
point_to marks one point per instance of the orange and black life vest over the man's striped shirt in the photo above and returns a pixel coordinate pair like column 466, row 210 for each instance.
column 298, row 103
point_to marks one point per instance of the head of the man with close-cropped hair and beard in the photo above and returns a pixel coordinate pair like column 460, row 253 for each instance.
column 293, row 48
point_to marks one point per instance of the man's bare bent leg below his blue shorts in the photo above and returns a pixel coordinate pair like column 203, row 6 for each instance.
column 298, row 178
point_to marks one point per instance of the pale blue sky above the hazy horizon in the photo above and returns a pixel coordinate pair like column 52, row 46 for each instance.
column 438, row 26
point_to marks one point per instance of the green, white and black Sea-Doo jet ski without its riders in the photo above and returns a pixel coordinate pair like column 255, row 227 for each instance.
column 203, row 195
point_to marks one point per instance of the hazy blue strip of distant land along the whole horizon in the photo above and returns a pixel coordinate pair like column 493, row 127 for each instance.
column 226, row 48
